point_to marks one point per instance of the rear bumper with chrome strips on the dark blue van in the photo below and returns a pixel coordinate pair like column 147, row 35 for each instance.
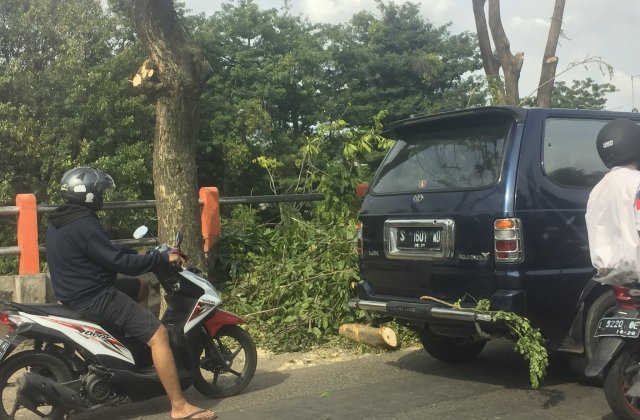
column 419, row 311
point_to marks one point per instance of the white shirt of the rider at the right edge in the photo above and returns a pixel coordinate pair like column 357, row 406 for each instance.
column 613, row 222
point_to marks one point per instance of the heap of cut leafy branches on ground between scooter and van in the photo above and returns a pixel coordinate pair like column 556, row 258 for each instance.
column 295, row 293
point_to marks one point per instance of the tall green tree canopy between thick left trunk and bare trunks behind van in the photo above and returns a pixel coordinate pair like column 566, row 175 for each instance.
column 278, row 80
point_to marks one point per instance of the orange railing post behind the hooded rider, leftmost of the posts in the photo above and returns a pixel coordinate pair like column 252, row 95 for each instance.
column 28, row 234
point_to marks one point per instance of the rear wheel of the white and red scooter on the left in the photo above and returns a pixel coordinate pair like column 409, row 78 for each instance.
column 45, row 364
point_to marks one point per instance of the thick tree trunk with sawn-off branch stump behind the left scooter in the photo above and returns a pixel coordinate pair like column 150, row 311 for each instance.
column 173, row 76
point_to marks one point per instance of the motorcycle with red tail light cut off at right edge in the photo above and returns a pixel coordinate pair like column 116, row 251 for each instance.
column 616, row 360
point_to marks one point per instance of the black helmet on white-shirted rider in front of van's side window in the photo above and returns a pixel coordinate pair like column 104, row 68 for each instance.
column 618, row 142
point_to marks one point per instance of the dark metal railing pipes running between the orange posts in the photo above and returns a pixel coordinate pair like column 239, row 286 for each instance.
column 141, row 204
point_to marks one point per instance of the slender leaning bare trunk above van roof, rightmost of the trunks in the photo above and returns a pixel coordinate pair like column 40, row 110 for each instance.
column 550, row 61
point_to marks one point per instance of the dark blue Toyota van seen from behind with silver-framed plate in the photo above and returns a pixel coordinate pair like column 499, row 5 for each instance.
column 485, row 203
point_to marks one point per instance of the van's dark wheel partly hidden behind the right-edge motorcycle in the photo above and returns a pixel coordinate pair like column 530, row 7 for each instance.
column 604, row 305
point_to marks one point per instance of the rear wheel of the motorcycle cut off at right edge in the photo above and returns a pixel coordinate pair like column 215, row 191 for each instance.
column 622, row 374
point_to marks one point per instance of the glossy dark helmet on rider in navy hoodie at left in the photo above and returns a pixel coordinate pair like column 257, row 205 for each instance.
column 85, row 186
